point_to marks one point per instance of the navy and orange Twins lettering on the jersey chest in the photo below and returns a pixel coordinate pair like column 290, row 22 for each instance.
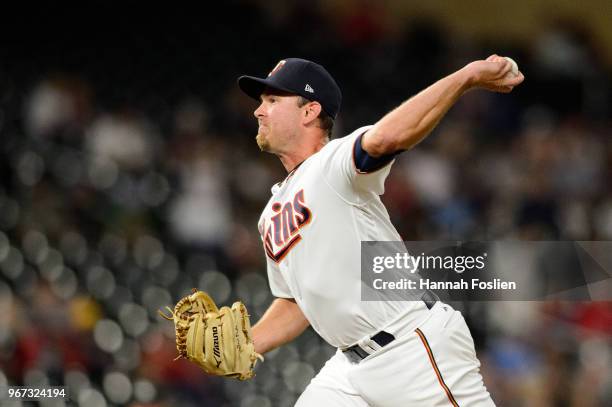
column 281, row 230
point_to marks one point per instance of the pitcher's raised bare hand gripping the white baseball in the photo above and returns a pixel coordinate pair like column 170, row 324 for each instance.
column 494, row 74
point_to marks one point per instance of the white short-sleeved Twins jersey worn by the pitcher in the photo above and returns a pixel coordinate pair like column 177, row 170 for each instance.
column 312, row 229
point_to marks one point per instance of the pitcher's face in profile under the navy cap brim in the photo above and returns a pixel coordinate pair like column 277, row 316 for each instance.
column 279, row 118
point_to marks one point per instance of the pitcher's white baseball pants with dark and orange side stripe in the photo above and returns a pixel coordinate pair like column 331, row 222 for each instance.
column 433, row 364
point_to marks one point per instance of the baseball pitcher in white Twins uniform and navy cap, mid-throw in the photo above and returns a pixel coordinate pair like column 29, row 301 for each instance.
column 390, row 353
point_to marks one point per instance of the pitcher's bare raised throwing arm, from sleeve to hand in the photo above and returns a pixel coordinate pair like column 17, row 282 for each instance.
column 413, row 120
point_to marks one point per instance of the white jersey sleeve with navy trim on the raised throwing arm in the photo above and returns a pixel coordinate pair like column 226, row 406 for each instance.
column 350, row 170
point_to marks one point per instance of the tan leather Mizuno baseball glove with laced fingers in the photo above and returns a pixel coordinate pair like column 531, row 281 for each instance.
column 217, row 340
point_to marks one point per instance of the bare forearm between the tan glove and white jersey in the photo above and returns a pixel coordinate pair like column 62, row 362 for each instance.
column 282, row 322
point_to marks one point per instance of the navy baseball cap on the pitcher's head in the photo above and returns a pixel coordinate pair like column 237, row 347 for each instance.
column 301, row 77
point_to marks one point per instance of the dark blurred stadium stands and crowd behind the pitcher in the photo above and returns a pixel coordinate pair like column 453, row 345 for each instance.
column 129, row 174
